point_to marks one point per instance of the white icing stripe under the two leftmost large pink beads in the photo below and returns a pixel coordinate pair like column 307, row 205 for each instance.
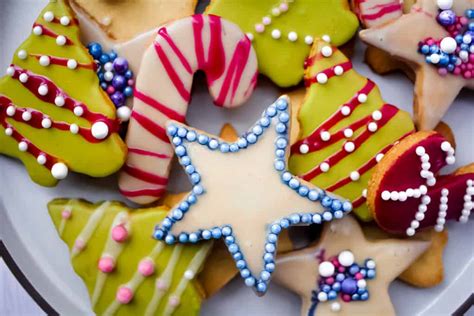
column 113, row 250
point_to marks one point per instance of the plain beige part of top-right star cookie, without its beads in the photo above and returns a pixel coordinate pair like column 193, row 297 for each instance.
column 433, row 93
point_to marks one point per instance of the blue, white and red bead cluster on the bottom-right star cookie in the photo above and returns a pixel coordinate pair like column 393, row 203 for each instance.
column 341, row 276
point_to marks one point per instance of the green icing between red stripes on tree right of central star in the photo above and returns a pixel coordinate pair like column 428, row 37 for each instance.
column 320, row 103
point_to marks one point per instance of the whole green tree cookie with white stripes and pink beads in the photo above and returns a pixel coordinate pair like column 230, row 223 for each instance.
column 125, row 270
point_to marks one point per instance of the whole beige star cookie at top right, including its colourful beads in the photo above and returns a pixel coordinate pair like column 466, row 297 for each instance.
column 436, row 41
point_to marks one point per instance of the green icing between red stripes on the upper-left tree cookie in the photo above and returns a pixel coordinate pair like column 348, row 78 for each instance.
column 95, row 159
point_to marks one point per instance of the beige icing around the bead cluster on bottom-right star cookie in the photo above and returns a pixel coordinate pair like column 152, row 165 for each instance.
column 300, row 270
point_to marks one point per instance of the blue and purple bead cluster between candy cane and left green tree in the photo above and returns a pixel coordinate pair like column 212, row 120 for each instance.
column 115, row 77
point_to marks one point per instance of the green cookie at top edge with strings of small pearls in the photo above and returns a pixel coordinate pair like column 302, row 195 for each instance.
column 282, row 31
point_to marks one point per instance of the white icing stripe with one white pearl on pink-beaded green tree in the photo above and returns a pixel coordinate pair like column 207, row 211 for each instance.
column 188, row 275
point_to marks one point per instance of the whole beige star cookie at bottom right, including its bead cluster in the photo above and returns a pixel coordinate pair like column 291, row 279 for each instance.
column 345, row 274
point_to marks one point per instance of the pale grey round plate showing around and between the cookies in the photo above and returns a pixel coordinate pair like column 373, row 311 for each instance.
column 31, row 237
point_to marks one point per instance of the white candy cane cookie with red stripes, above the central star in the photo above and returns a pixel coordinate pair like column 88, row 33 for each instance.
column 163, row 92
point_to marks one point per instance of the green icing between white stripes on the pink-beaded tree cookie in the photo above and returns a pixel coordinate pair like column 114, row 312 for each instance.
column 138, row 246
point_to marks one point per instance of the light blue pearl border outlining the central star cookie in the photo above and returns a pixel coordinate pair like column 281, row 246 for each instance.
column 279, row 111
